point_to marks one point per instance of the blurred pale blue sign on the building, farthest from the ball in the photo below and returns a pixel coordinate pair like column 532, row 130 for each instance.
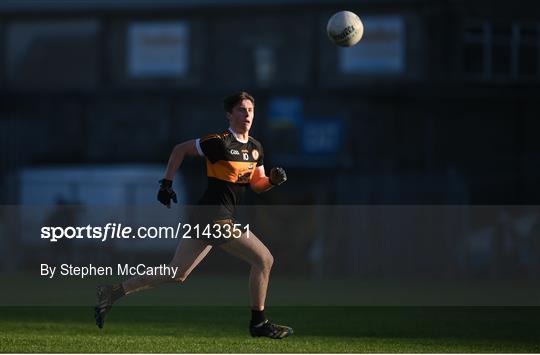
column 158, row 49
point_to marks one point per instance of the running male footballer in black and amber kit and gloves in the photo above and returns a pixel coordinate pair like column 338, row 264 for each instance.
column 234, row 160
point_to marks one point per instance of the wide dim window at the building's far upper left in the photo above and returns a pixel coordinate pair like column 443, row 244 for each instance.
column 52, row 54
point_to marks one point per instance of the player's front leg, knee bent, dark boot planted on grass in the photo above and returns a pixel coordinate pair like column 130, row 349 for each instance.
column 250, row 249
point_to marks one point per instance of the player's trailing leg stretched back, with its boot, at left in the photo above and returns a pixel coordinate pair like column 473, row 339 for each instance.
column 189, row 253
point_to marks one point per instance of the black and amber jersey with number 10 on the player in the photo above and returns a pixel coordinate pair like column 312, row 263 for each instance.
column 230, row 165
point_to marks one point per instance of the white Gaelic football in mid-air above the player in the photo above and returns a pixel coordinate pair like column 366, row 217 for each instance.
column 345, row 28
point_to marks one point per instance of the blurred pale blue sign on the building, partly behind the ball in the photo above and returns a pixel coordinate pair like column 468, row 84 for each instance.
column 381, row 50
